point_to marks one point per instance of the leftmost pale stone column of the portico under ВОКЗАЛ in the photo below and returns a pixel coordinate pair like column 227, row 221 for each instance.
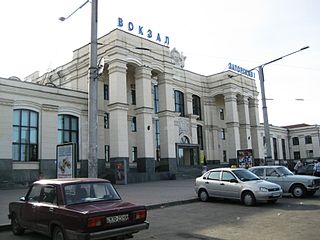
column 118, row 109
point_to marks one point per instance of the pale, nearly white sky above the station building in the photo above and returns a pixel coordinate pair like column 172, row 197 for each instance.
column 210, row 33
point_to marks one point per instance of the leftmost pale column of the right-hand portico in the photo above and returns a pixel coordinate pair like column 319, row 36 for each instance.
column 232, row 122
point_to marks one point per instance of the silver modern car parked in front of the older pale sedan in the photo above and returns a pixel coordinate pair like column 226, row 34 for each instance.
column 236, row 183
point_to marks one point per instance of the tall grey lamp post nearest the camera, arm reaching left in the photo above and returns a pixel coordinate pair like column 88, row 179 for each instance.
column 93, row 91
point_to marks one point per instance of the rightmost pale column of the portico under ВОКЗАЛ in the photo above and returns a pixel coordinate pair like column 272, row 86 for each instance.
column 166, row 117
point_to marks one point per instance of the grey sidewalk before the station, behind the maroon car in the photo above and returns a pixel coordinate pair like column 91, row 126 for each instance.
column 151, row 194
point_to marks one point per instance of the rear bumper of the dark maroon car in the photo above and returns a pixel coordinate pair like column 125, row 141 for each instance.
column 127, row 230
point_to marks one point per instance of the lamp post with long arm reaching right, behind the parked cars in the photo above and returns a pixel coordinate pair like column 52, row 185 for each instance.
column 264, row 105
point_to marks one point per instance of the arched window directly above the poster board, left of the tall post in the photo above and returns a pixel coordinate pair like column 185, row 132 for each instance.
column 68, row 129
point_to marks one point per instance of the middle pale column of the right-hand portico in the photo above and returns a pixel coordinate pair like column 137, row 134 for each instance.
column 244, row 121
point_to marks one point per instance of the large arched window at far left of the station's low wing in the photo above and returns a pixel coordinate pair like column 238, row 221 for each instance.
column 25, row 135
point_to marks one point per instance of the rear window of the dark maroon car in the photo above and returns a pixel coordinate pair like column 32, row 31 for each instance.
column 89, row 192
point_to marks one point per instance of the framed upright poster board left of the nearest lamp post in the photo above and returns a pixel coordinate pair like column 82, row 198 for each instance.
column 66, row 161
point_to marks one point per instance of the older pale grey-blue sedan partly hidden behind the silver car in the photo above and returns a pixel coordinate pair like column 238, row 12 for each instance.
column 298, row 185
